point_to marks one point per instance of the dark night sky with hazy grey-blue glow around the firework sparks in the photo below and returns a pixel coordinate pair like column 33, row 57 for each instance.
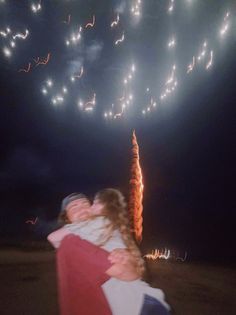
column 186, row 142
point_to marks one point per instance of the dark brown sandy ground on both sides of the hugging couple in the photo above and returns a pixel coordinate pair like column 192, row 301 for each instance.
column 28, row 285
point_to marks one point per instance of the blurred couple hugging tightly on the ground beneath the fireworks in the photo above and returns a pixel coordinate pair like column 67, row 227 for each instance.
column 99, row 265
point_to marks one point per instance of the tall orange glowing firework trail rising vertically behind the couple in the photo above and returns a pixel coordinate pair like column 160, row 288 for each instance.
column 136, row 192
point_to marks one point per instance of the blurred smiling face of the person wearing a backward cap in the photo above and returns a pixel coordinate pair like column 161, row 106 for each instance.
column 78, row 210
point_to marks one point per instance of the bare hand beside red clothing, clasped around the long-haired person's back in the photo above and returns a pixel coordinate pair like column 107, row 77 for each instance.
column 124, row 265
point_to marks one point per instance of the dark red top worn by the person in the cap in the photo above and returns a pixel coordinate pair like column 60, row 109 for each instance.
column 81, row 270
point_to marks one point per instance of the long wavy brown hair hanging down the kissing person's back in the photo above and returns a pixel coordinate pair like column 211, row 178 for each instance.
column 115, row 209
